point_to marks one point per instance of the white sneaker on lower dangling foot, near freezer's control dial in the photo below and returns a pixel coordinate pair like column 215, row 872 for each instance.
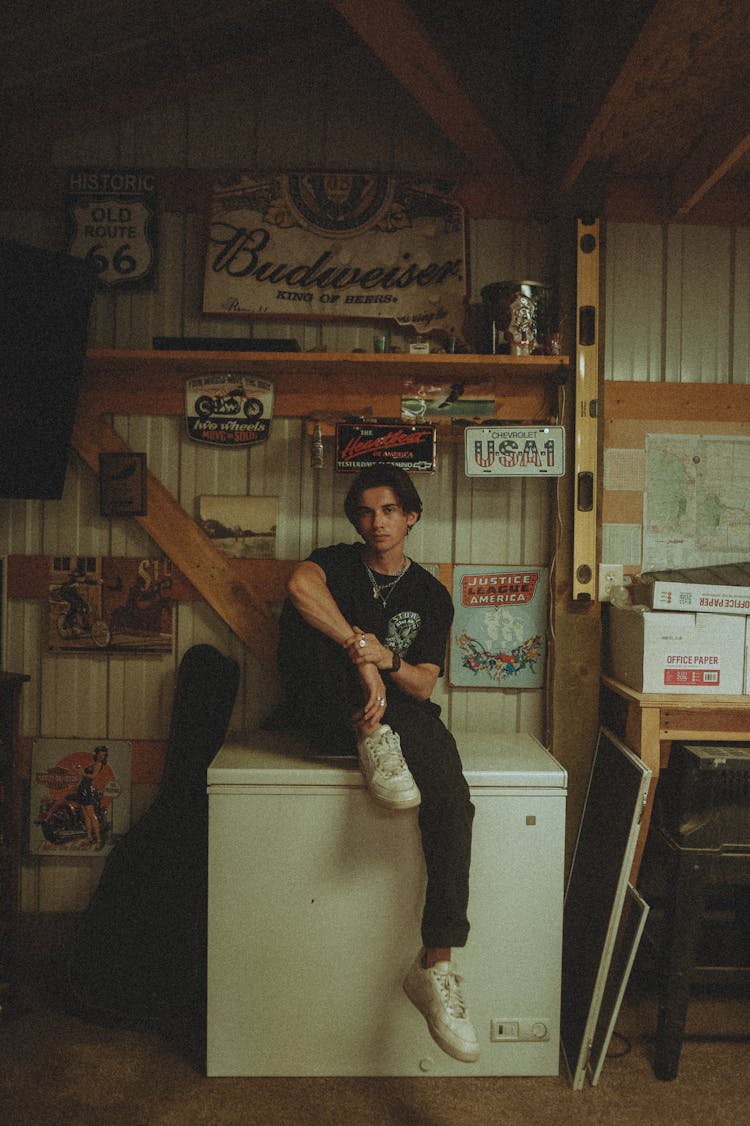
column 436, row 993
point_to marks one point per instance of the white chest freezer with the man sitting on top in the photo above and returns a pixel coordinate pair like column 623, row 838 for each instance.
column 315, row 907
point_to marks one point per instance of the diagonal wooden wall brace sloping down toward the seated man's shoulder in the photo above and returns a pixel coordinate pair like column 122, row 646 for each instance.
column 178, row 535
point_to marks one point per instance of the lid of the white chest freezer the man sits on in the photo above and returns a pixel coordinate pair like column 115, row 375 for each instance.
column 279, row 758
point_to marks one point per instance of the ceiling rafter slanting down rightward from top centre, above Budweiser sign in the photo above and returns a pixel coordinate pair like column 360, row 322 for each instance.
column 395, row 34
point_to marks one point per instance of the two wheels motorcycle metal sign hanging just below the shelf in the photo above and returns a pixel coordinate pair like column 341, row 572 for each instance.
column 229, row 410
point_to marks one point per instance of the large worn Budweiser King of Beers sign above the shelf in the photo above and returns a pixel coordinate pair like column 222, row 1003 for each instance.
column 336, row 245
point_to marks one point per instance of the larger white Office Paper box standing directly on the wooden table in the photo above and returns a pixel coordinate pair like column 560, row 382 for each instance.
column 656, row 651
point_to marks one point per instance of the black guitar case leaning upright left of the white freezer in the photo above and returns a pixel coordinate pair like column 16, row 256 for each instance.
column 140, row 952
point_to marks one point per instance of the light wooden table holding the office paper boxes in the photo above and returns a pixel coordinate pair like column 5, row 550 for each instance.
column 649, row 722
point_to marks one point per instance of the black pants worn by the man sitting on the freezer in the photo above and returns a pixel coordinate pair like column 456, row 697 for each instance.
column 447, row 812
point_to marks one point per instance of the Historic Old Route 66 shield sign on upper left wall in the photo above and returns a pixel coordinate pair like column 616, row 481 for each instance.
column 112, row 222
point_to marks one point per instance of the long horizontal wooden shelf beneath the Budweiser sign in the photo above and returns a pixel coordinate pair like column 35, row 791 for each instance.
column 310, row 385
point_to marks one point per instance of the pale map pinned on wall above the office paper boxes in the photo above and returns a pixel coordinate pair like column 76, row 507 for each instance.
column 697, row 503
